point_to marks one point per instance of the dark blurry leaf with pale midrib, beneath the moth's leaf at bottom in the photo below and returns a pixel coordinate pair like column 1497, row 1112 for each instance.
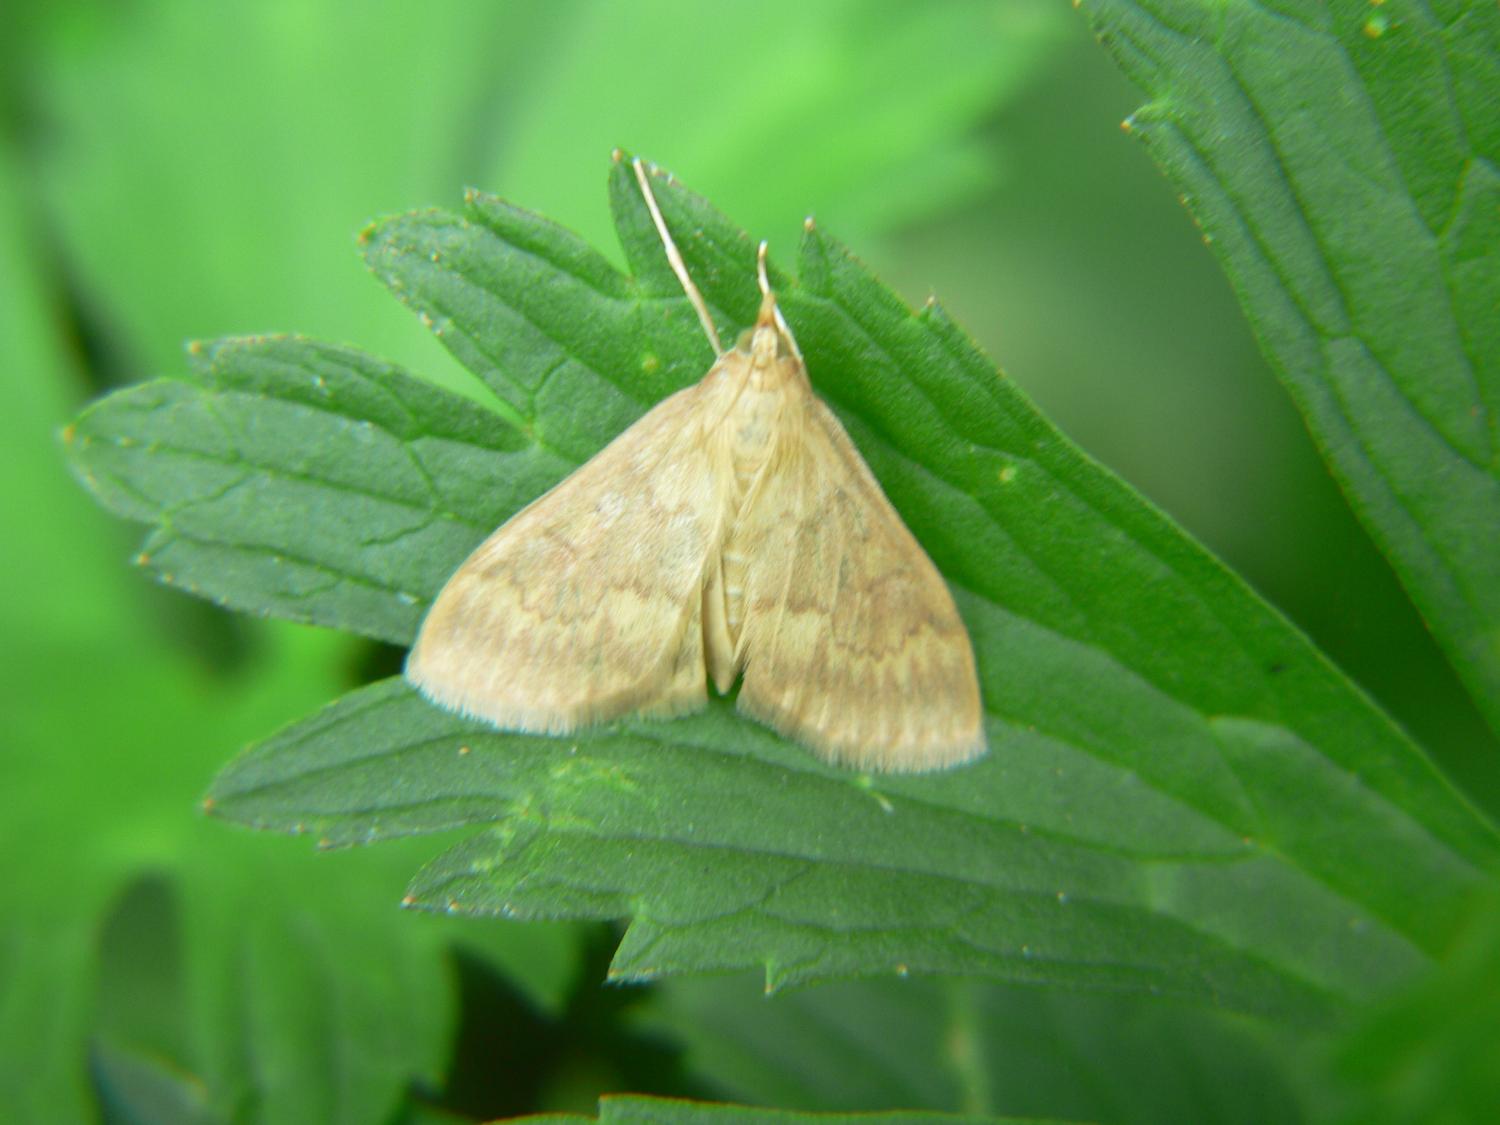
column 971, row 1048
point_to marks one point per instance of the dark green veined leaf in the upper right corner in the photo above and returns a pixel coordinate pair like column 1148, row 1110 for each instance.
column 1345, row 164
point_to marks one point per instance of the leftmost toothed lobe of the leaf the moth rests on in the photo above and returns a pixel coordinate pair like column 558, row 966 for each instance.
column 305, row 481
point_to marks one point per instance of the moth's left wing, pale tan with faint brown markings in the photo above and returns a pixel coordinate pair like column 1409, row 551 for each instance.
column 587, row 605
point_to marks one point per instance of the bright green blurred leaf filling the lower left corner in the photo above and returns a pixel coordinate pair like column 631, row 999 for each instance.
column 112, row 728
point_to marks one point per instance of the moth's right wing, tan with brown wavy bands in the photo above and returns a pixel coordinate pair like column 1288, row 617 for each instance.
column 851, row 640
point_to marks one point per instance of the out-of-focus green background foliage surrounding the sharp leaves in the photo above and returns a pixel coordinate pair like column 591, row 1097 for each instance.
column 175, row 172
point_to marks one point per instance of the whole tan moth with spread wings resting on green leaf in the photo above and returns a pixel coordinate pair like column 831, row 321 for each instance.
column 734, row 532
